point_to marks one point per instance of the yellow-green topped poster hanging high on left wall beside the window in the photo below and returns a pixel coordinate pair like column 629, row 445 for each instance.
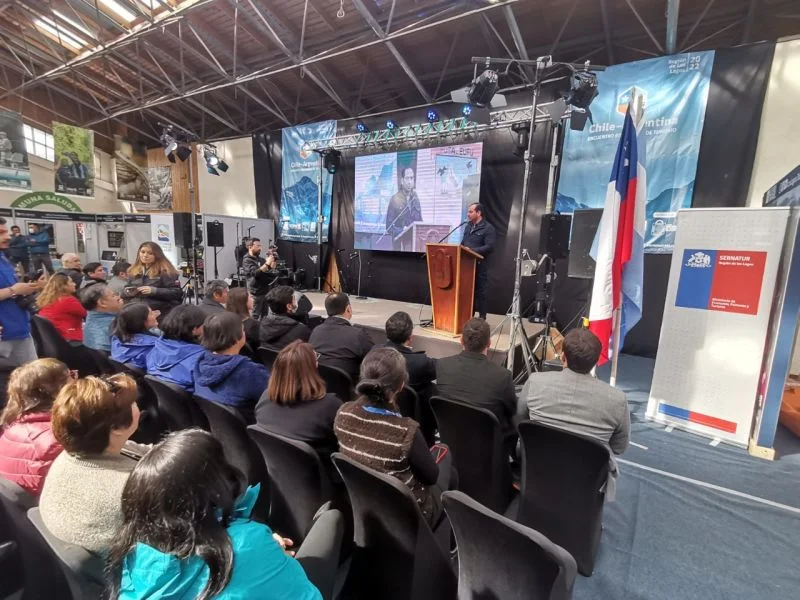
column 74, row 160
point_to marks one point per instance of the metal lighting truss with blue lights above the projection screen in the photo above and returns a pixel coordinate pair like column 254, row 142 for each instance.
column 449, row 130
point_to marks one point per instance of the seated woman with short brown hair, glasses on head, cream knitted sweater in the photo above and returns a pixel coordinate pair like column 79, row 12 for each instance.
column 93, row 418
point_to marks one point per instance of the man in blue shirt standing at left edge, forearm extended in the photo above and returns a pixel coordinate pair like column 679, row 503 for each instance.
column 16, row 344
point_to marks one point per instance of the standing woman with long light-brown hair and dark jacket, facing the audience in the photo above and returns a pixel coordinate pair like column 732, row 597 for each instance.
column 153, row 280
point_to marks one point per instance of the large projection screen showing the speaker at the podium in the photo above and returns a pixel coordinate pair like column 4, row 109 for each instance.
column 405, row 199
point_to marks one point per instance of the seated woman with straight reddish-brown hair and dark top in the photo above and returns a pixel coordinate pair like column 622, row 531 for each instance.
column 295, row 404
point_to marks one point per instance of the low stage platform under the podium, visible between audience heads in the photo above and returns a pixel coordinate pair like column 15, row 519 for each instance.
column 372, row 313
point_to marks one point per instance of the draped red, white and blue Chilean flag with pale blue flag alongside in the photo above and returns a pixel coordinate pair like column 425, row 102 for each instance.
column 618, row 247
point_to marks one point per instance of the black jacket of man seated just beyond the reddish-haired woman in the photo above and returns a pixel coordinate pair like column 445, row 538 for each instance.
column 341, row 345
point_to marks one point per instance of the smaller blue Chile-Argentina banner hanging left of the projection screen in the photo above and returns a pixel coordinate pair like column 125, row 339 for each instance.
column 300, row 169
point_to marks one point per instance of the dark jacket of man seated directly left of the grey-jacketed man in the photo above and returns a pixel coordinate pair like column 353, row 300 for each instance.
column 471, row 378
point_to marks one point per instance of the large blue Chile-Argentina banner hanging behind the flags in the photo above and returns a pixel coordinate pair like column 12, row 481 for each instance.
column 675, row 93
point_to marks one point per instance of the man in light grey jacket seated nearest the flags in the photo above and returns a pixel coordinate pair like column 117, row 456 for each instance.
column 576, row 401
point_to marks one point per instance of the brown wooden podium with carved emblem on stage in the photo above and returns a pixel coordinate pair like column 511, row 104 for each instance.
column 451, row 276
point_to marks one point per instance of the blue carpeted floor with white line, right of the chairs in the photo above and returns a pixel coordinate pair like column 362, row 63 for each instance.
column 673, row 538
